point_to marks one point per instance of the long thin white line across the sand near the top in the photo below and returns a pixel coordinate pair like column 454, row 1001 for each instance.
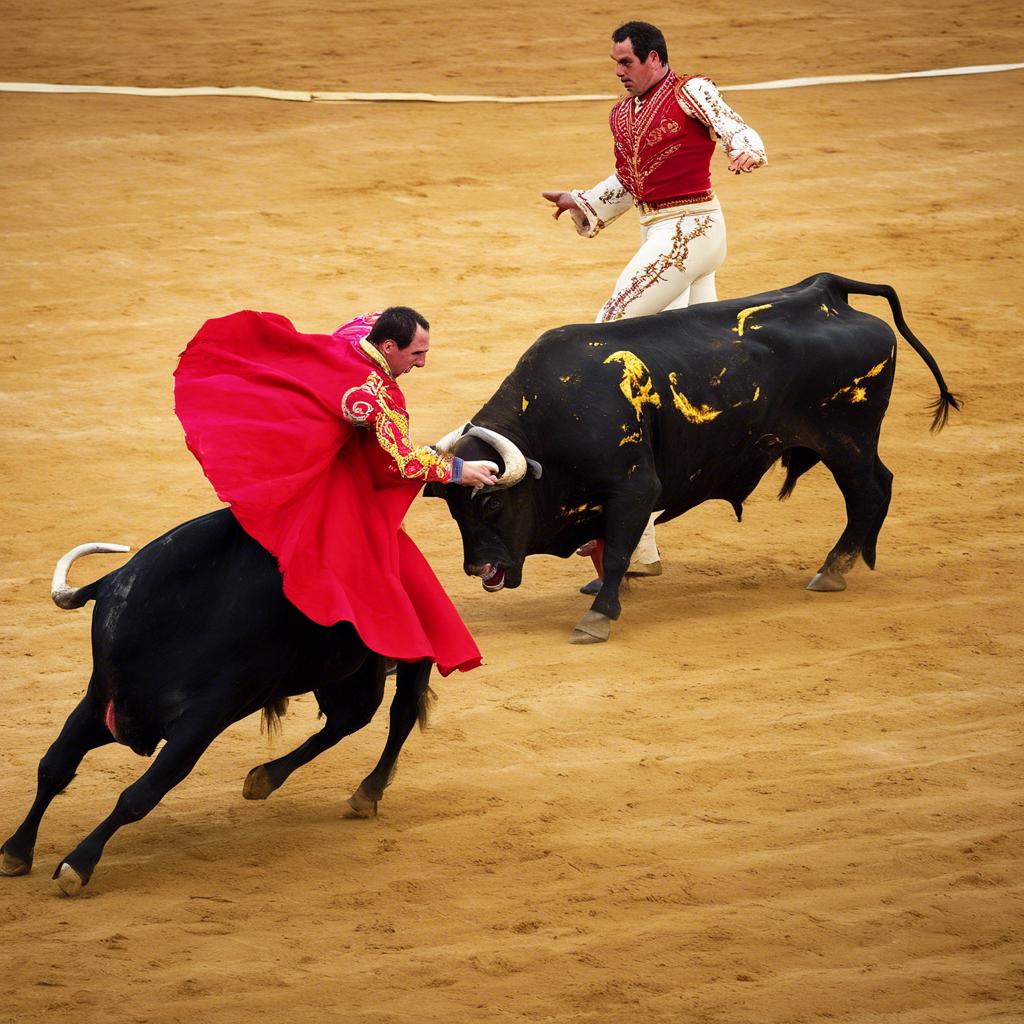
column 430, row 98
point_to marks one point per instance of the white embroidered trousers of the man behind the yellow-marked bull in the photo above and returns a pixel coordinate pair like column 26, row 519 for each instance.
column 673, row 269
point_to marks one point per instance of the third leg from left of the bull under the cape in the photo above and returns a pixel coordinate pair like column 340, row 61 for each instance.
column 349, row 707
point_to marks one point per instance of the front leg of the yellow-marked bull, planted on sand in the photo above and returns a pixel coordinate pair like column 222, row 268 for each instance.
column 626, row 517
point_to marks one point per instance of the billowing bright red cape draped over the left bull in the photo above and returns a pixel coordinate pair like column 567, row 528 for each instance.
column 261, row 405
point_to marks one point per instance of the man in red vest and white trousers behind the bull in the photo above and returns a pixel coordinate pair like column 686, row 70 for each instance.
column 664, row 134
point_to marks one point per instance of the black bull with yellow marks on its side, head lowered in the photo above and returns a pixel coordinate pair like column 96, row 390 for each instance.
column 666, row 412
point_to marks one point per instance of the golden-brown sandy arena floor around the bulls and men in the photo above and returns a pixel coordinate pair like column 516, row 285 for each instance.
column 755, row 805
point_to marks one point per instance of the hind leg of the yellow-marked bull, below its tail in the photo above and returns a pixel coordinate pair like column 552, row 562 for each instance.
column 866, row 490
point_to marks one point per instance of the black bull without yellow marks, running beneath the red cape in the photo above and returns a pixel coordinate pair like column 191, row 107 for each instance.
column 190, row 636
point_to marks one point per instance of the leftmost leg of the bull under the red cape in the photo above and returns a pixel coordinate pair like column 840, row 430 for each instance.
column 84, row 732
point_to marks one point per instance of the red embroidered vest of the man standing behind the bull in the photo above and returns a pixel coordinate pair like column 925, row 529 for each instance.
column 661, row 153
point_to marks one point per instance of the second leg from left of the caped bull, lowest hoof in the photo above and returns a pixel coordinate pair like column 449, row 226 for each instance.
column 186, row 745
